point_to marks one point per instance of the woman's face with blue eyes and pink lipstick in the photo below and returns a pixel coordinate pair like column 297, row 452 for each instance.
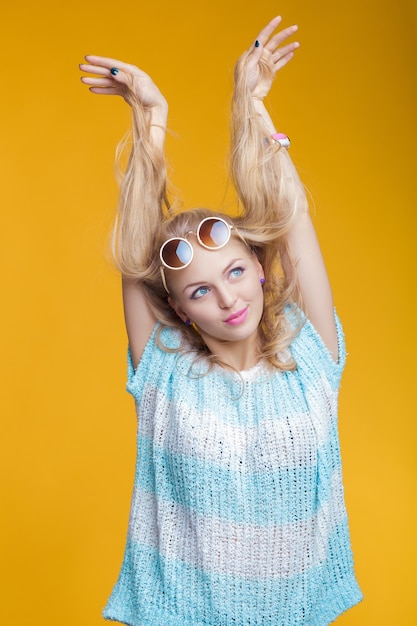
column 220, row 291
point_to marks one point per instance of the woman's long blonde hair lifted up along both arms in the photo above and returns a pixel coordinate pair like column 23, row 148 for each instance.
column 270, row 195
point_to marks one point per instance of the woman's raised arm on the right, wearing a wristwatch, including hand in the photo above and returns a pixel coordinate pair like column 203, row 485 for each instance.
column 267, row 180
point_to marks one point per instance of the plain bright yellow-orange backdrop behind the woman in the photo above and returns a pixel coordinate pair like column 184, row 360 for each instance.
column 348, row 102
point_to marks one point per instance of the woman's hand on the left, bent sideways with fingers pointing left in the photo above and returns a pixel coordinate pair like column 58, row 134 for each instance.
column 129, row 82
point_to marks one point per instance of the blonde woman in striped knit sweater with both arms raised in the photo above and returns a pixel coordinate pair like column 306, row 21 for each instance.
column 235, row 359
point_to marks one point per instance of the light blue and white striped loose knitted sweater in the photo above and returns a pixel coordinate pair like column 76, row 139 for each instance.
column 238, row 516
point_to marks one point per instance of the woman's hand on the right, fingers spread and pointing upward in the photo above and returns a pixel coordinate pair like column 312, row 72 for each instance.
column 267, row 55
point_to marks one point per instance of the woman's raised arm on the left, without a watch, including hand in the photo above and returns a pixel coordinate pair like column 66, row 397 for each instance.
column 142, row 200
